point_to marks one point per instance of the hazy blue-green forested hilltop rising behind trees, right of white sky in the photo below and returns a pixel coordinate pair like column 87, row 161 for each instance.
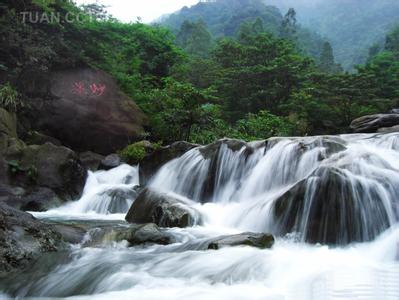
column 230, row 18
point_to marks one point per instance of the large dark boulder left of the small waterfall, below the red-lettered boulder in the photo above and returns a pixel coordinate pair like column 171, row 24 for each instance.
column 54, row 167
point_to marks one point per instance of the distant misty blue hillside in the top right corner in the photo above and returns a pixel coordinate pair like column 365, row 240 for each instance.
column 351, row 26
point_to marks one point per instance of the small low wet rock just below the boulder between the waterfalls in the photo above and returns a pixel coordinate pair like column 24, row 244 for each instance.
column 144, row 234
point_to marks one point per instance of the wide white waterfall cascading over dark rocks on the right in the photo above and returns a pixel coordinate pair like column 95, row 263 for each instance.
column 326, row 189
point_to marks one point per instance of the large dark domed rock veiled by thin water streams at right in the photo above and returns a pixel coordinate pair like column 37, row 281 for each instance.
column 330, row 208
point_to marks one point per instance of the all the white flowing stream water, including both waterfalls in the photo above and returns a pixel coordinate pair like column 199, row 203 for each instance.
column 340, row 190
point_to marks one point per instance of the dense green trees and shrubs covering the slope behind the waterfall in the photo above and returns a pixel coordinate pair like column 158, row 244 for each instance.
column 254, row 84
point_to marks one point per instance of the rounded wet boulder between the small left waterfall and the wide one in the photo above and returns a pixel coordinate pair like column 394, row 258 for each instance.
column 162, row 209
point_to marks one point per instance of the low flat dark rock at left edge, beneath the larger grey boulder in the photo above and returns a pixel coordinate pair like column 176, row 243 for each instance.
column 37, row 199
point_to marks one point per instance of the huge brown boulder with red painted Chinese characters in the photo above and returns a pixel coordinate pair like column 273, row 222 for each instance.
column 87, row 112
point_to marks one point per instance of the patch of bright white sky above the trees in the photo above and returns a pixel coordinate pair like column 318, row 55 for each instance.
column 148, row 10
